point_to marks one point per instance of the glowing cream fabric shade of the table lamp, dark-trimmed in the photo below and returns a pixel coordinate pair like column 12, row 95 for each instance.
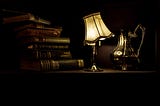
column 95, row 28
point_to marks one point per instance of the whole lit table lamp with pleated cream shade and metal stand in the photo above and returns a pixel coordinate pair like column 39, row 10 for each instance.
column 95, row 30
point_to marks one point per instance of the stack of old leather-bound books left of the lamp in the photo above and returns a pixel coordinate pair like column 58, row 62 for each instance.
column 40, row 46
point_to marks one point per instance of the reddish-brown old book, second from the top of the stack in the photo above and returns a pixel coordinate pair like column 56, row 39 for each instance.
column 39, row 32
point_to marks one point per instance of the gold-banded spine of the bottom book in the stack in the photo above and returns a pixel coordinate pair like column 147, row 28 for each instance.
column 51, row 65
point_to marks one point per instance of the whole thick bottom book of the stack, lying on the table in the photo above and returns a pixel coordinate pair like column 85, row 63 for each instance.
column 51, row 65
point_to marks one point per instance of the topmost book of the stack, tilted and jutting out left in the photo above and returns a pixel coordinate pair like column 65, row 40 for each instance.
column 25, row 17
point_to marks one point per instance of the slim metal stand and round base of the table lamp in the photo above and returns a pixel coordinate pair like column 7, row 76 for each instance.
column 94, row 67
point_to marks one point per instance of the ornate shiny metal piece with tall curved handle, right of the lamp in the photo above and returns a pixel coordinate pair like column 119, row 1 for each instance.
column 124, row 56
